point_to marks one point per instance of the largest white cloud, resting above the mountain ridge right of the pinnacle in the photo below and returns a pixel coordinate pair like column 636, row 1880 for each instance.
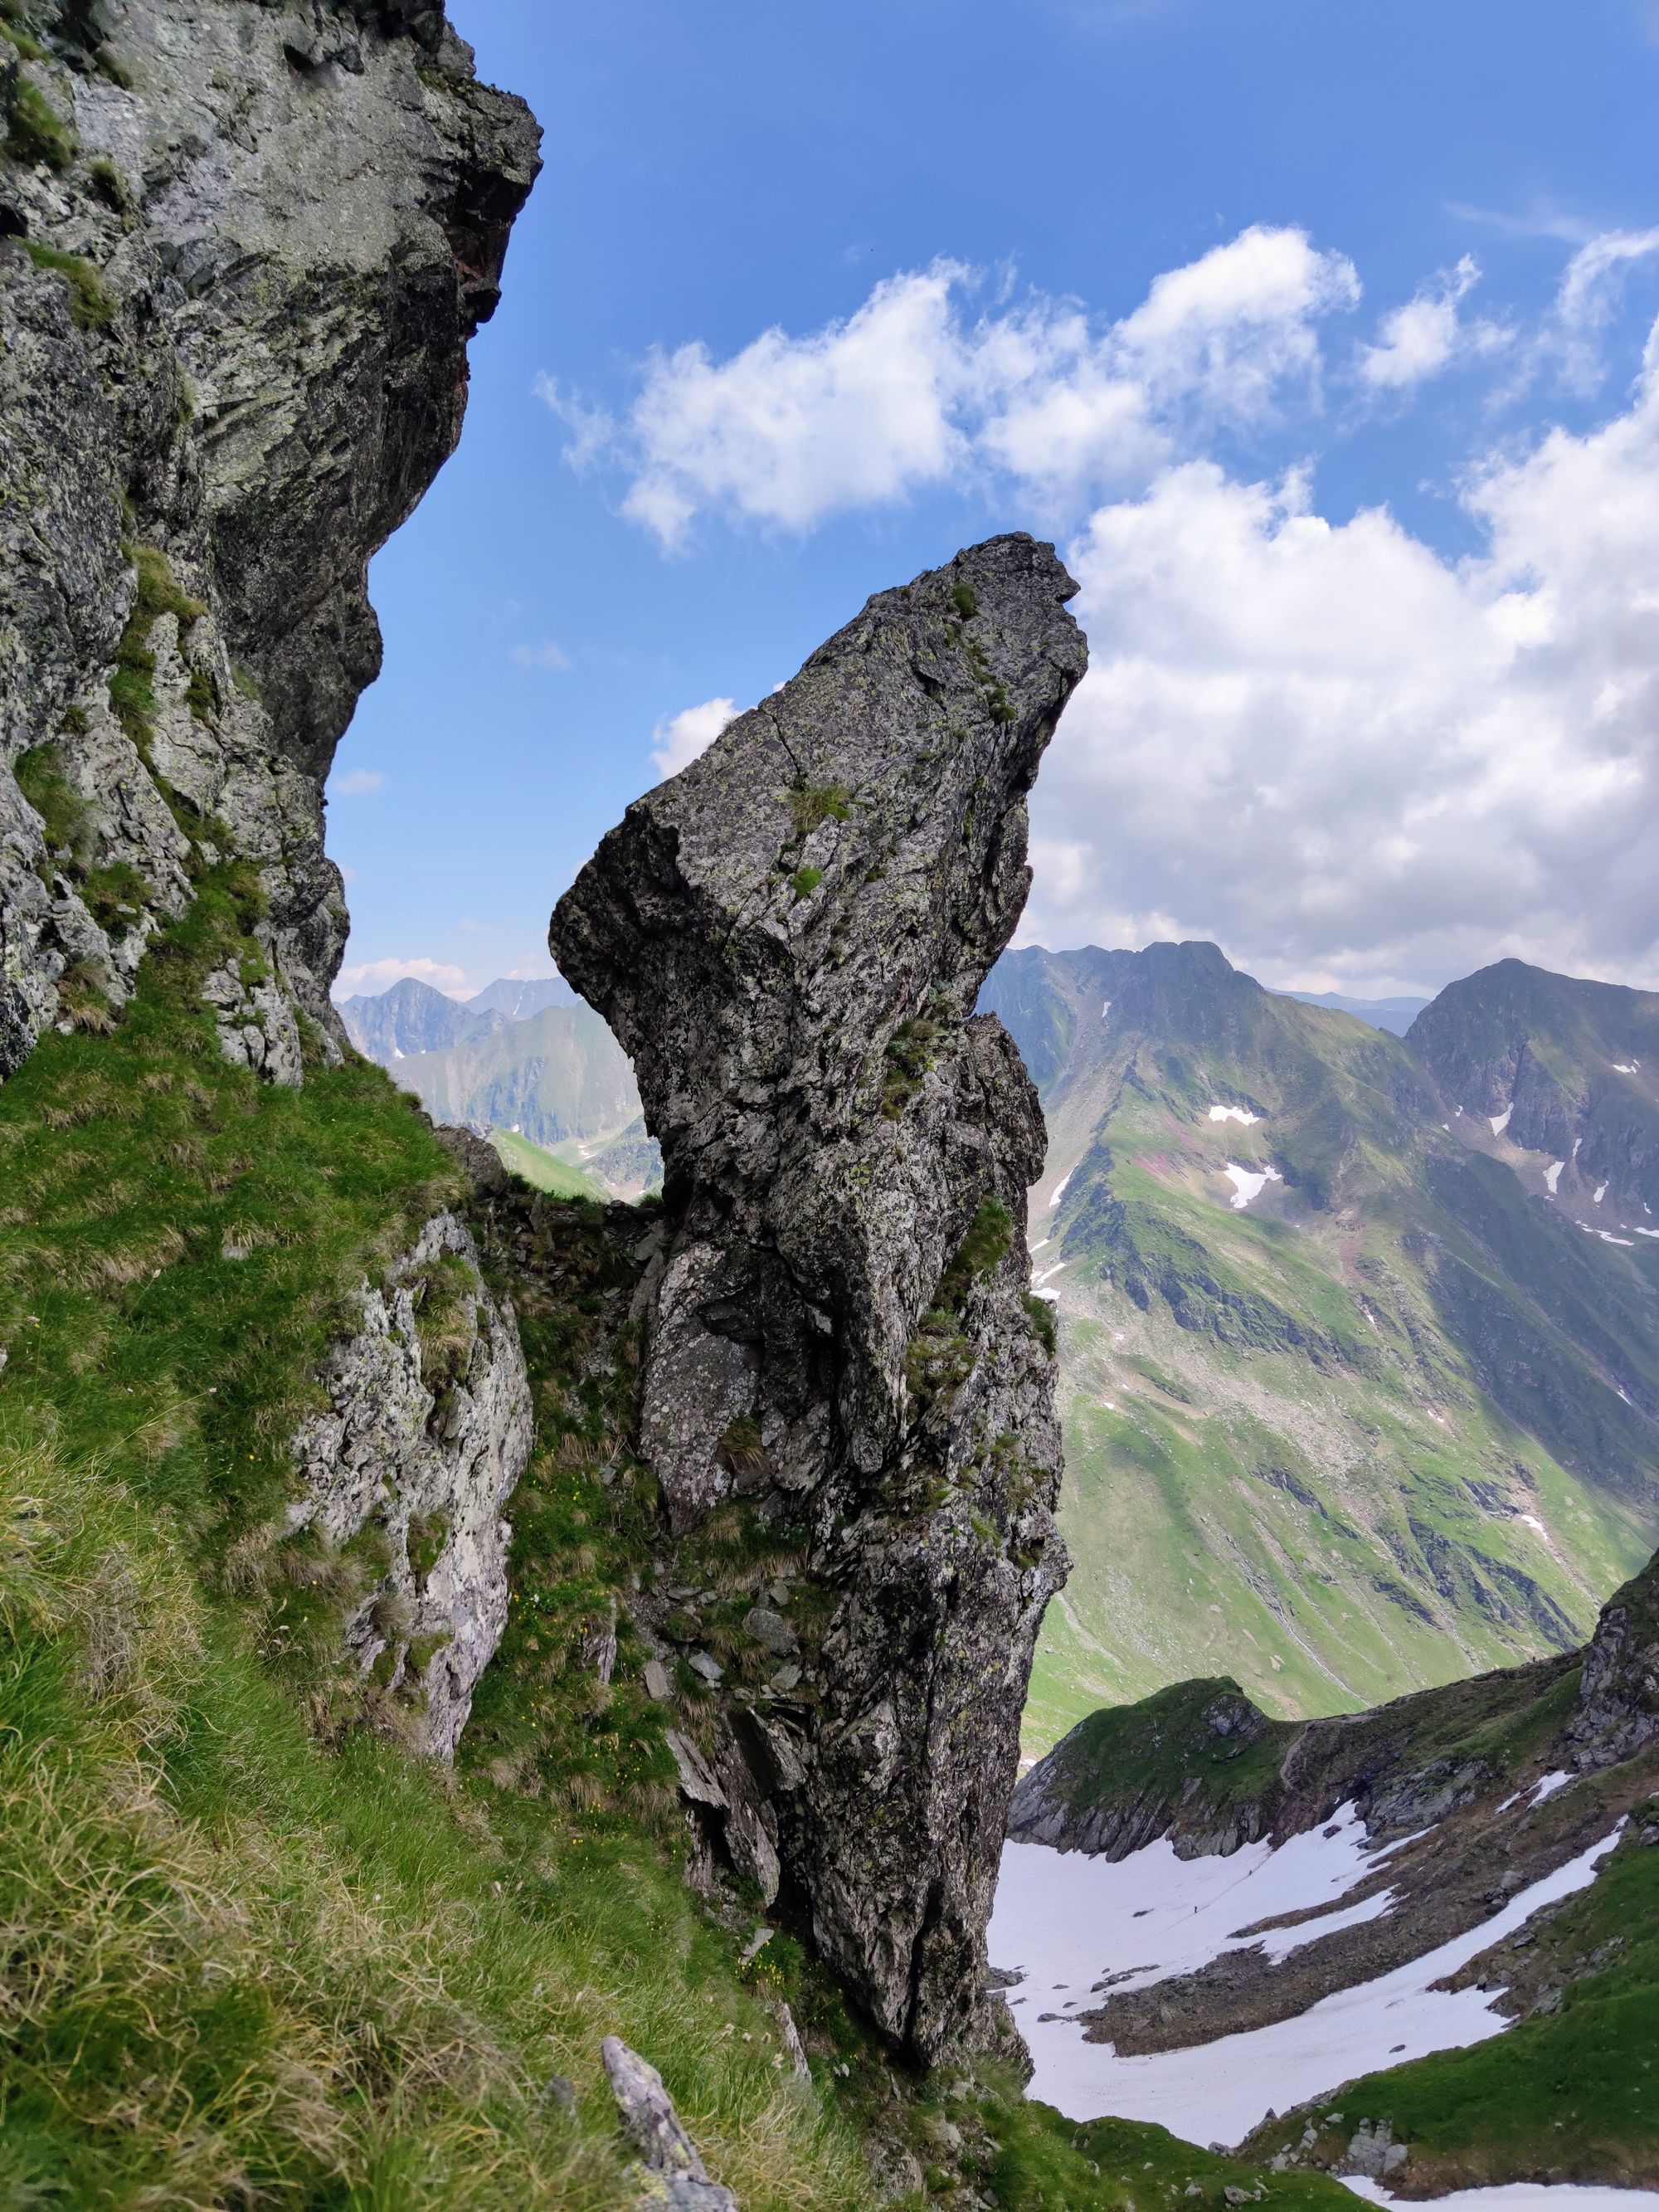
column 1350, row 760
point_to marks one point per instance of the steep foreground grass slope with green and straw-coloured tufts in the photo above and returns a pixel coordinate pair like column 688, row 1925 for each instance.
column 253, row 1950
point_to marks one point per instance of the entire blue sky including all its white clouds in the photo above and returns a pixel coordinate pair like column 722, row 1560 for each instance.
column 1313, row 335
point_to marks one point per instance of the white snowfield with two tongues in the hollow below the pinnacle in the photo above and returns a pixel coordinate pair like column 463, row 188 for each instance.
column 1065, row 1919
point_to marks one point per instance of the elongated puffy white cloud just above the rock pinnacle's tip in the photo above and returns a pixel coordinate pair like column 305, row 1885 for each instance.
column 917, row 388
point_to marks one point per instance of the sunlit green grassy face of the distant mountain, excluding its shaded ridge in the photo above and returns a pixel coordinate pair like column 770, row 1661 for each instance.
column 1284, row 1512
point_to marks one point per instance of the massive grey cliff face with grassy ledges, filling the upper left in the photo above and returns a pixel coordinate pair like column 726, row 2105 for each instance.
column 244, row 249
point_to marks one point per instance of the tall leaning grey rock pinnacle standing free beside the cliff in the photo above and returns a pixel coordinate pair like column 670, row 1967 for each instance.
column 791, row 939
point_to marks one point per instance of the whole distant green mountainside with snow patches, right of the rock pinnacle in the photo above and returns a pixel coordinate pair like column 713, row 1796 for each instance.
column 1355, row 1404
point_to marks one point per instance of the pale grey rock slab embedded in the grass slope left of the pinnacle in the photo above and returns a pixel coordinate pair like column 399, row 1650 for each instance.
column 428, row 1434
